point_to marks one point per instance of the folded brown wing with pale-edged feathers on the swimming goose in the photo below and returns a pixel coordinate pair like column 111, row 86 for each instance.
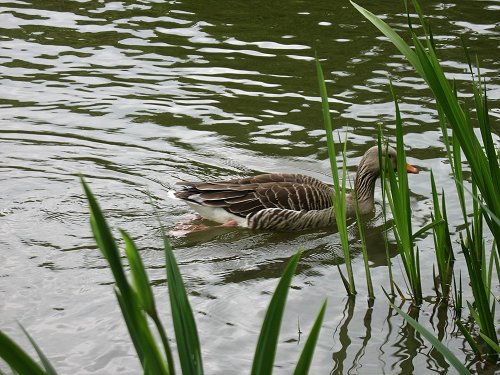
column 249, row 195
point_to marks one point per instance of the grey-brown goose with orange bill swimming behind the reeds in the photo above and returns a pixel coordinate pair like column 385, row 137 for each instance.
column 281, row 201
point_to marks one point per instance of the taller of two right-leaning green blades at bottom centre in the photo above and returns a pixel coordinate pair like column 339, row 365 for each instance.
column 265, row 351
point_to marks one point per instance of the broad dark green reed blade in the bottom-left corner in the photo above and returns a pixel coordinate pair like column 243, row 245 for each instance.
column 17, row 358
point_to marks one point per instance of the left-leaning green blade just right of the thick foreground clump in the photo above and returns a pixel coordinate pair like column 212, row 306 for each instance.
column 186, row 334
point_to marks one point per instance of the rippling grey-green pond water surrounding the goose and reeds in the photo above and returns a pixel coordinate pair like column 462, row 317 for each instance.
column 136, row 95
